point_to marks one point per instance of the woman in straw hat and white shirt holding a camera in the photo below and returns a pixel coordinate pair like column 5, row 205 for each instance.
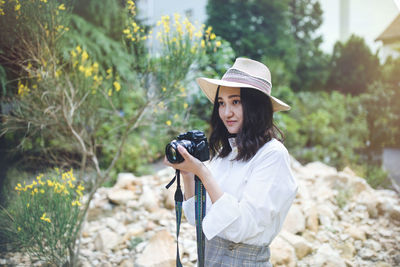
column 248, row 180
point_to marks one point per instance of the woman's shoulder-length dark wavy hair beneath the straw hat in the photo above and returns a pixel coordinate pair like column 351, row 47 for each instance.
column 258, row 126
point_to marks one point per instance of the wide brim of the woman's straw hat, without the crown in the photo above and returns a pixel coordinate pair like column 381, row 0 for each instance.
column 209, row 87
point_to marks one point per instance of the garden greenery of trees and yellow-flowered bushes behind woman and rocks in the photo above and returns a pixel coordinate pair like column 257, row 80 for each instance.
column 85, row 97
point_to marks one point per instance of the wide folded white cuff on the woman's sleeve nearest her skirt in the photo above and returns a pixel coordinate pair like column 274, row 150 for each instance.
column 223, row 212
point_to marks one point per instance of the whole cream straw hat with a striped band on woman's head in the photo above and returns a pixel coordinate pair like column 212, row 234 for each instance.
column 244, row 73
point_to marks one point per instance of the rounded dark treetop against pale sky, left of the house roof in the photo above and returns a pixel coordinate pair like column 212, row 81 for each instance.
column 353, row 67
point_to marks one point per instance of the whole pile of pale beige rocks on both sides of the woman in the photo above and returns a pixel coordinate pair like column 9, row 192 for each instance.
column 337, row 219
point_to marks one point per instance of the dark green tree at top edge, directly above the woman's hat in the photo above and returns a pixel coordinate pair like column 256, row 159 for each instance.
column 254, row 28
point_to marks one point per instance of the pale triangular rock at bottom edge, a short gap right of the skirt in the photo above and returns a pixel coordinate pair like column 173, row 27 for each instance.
column 326, row 256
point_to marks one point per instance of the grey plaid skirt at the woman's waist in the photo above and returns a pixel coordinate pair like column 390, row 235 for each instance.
column 222, row 252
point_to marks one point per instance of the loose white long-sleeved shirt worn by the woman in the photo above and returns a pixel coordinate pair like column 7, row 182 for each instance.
column 256, row 199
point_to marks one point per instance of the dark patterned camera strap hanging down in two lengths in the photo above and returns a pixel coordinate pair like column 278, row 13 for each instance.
column 200, row 211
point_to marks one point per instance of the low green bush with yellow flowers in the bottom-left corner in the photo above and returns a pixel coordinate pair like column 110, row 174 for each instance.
column 44, row 216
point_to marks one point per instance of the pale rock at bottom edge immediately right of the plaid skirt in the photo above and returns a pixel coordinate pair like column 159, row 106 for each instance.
column 282, row 253
